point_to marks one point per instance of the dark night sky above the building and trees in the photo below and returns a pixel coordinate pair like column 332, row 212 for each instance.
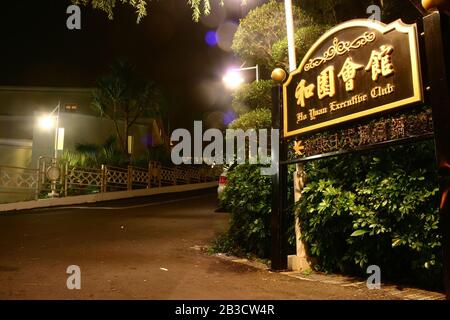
column 37, row 49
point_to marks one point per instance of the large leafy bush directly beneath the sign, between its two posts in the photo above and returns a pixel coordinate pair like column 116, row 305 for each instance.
column 377, row 209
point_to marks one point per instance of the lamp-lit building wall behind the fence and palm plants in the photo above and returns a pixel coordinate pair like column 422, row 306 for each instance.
column 21, row 107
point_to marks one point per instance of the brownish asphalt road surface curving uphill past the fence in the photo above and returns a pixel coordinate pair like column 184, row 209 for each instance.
column 139, row 249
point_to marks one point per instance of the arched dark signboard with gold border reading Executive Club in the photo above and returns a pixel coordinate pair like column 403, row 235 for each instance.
column 357, row 69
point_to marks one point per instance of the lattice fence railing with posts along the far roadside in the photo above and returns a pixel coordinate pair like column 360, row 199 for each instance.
column 64, row 180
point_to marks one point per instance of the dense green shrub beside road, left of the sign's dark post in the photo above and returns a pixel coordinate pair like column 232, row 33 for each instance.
column 248, row 195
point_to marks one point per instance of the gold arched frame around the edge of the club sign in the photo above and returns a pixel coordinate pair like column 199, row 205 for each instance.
column 397, row 25
